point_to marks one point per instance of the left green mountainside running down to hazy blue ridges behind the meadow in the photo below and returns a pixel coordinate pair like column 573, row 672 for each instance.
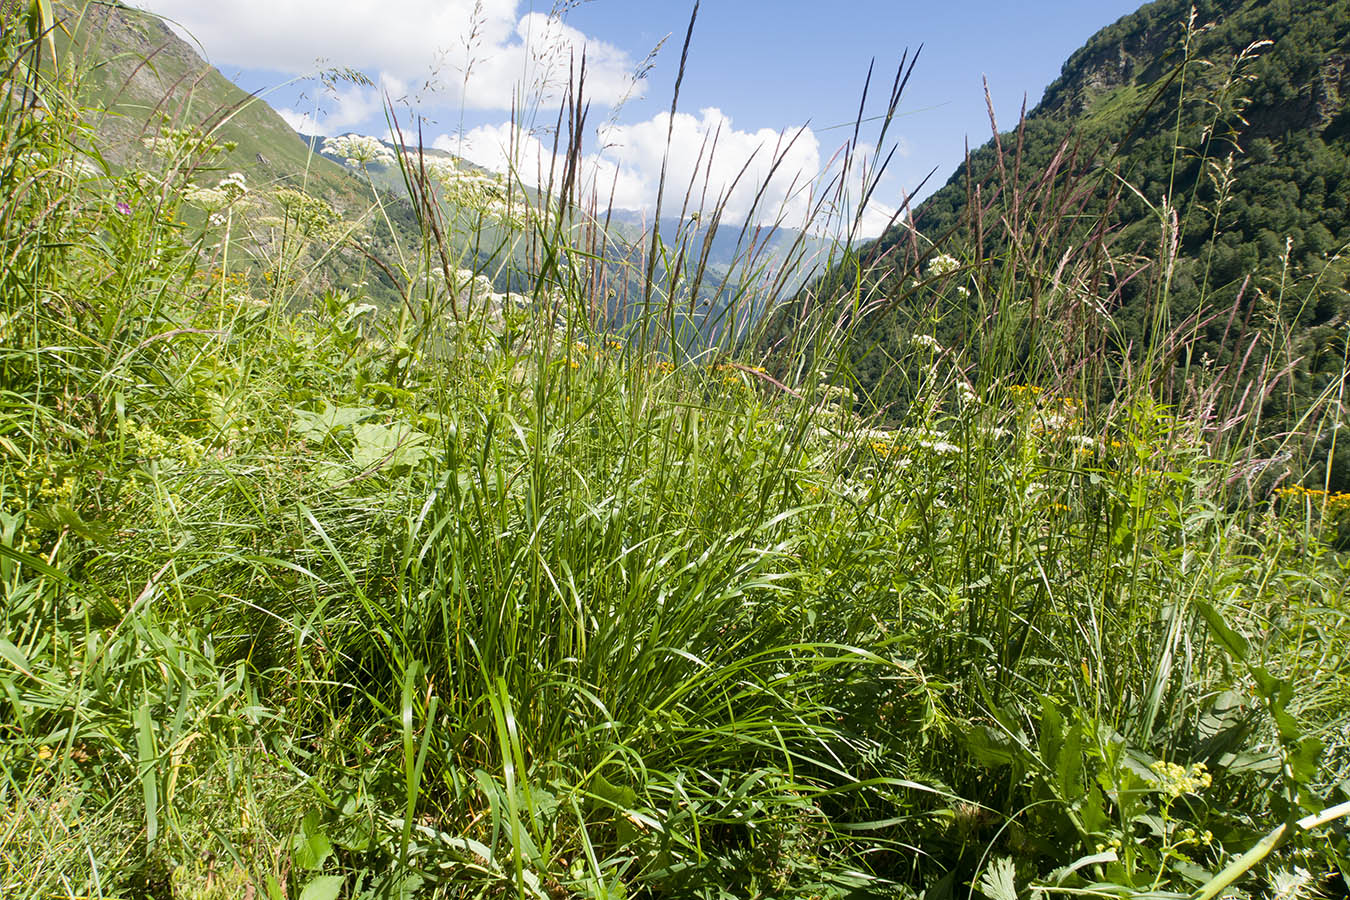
column 141, row 76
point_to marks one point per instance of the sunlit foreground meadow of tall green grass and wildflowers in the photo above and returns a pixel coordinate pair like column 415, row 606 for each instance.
column 310, row 600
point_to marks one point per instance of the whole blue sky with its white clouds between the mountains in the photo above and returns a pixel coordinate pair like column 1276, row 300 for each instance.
column 757, row 69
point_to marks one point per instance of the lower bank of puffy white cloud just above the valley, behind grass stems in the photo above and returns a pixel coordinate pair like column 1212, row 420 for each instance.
column 763, row 176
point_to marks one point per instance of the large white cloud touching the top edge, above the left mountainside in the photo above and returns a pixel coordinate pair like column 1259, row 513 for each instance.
column 480, row 53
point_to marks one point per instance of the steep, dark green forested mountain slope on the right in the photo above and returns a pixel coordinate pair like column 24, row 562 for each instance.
column 1240, row 119
